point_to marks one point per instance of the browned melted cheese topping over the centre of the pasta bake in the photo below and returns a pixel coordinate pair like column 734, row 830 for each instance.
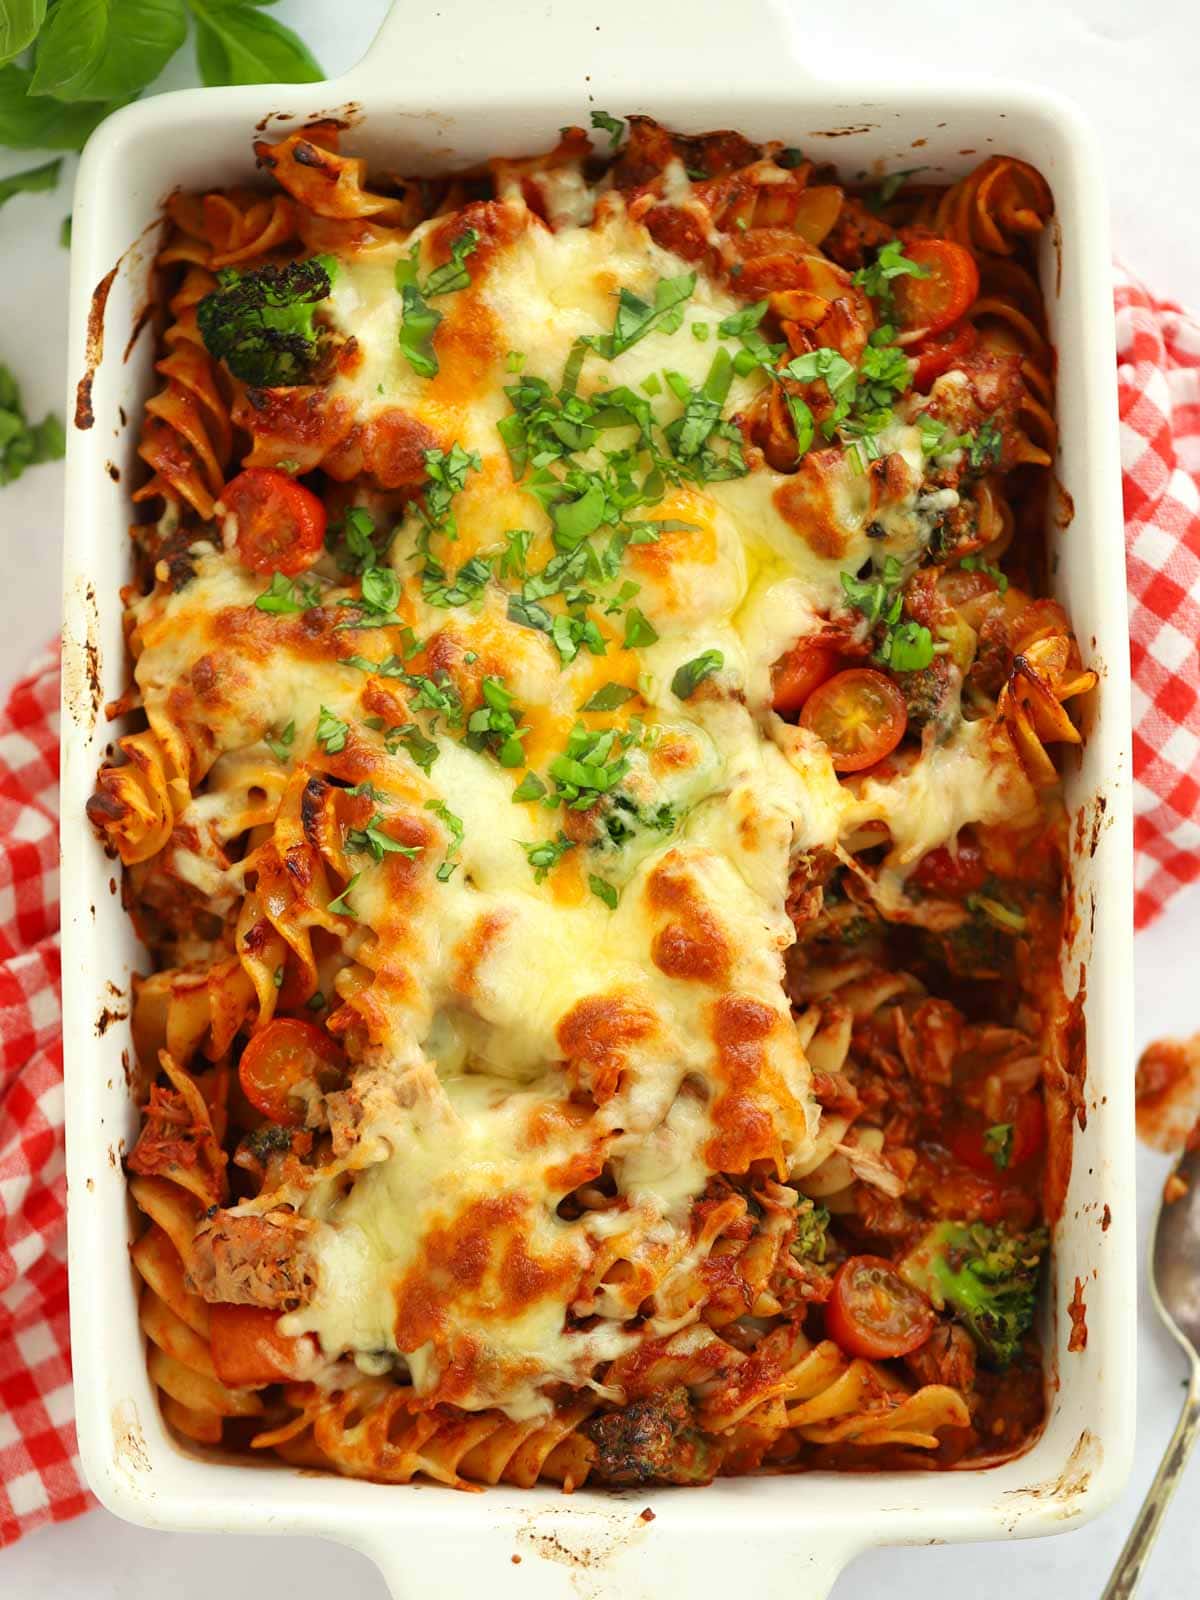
column 522, row 1039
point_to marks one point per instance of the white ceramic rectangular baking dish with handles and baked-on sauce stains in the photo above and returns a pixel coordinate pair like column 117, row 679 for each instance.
column 450, row 86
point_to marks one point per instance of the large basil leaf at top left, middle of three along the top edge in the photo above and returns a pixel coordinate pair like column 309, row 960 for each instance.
column 100, row 50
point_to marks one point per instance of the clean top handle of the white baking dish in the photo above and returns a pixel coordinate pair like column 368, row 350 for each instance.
column 612, row 52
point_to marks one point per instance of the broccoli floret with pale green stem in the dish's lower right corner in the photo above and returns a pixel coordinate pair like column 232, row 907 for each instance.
column 986, row 1278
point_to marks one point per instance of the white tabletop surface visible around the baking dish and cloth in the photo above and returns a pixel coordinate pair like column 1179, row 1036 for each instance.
column 1132, row 68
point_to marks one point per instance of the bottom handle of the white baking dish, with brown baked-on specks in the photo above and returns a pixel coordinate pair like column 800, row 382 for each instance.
column 615, row 1551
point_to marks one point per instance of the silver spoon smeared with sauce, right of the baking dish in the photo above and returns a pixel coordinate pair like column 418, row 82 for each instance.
column 1175, row 1289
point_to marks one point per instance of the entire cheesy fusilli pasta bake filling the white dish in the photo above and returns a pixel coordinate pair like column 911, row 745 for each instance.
column 593, row 810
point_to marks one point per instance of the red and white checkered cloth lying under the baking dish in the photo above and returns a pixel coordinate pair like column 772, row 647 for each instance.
column 41, row 1481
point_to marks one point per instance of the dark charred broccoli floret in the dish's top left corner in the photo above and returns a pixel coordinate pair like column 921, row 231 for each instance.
column 262, row 324
